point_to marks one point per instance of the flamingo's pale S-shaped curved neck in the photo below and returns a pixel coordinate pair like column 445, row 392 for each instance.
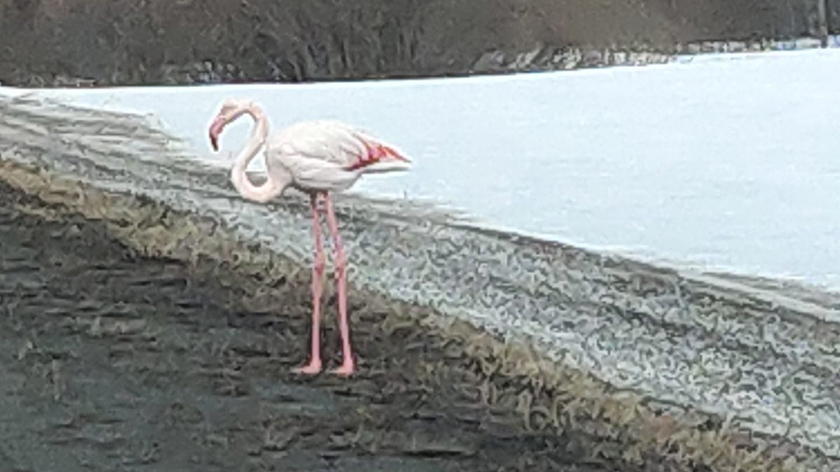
column 239, row 177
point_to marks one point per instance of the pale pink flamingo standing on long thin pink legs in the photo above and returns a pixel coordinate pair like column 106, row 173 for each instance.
column 316, row 157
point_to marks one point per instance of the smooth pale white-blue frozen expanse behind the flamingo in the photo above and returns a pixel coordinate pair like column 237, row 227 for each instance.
column 726, row 162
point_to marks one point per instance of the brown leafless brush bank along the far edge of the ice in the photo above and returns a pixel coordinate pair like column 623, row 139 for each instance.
column 122, row 42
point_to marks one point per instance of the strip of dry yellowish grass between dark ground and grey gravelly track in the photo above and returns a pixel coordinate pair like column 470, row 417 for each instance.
column 614, row 425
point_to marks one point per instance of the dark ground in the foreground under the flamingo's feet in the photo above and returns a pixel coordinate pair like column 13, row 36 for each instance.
column 110, row 361
